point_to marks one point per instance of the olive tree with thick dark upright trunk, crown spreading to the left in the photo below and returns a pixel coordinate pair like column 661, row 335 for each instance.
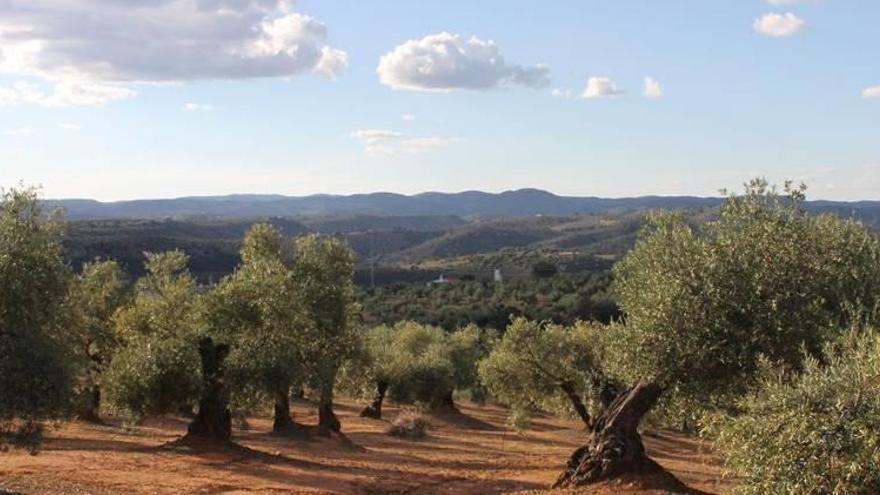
column 168, row 362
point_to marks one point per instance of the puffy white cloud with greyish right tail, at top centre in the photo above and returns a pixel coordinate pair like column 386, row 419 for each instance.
column 447, row 62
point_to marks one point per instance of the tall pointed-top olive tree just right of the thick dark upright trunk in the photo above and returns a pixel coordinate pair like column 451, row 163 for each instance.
column 258, row 311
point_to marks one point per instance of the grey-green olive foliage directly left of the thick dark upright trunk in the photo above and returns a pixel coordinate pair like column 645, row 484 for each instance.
column 156, row 370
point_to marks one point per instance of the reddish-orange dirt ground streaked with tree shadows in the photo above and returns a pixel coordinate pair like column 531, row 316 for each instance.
column 471, row 453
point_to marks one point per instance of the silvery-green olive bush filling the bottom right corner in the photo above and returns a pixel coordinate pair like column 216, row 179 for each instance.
column 813, row 433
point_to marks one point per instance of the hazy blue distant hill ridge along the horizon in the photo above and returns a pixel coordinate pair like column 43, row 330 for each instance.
column 361, row 207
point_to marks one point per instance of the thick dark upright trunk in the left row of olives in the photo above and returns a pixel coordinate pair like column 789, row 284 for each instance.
column 214, row 421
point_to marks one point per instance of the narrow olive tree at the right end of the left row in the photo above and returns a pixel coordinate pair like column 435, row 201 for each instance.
column 323, row 271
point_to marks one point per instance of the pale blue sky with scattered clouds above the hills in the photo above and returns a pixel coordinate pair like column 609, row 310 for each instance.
column 124, row 99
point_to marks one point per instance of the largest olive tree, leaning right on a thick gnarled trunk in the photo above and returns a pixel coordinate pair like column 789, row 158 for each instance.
column 704, row 304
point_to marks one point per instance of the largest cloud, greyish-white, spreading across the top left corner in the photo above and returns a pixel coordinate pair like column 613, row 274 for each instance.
column 92, row 50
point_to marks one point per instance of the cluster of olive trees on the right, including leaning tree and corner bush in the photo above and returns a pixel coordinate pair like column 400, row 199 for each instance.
column 756, row 324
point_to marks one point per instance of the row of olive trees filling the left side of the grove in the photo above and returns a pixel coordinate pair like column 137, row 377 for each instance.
column 284, row 320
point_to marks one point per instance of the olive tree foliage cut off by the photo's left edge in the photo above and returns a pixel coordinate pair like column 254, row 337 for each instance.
column 35, row 371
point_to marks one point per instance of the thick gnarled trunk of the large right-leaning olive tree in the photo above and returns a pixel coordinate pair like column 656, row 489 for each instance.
column 614, row 446
